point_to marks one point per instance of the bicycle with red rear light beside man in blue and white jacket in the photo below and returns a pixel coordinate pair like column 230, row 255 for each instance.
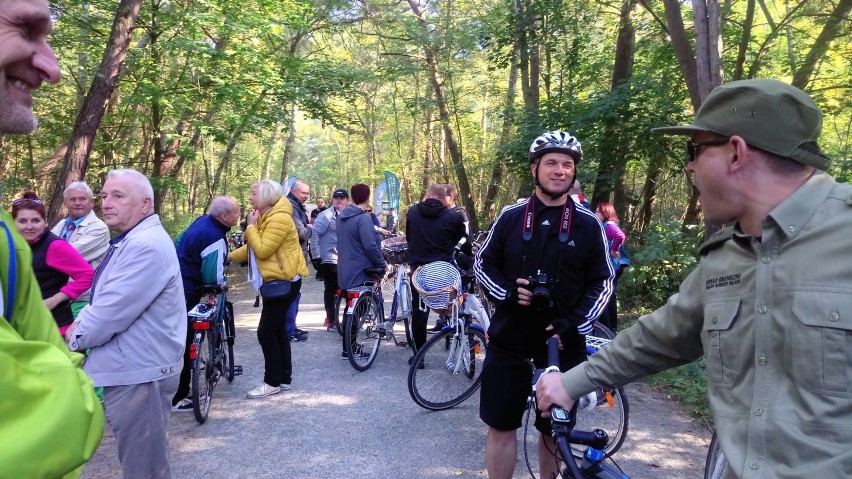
column 212, row 350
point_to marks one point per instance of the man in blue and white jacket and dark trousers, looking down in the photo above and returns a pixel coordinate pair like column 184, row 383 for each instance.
column 202, row 250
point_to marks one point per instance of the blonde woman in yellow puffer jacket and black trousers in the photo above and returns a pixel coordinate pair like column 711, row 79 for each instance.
column 272, row 249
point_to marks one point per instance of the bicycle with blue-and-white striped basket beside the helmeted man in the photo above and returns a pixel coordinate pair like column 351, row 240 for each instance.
column 447, row 369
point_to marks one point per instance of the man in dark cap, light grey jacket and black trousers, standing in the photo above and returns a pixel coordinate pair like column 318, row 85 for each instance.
column 325, row 239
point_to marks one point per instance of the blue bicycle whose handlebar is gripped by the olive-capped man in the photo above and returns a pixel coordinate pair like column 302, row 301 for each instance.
column 566, row 436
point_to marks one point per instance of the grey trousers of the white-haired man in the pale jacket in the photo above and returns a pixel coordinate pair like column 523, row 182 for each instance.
column 139, row 416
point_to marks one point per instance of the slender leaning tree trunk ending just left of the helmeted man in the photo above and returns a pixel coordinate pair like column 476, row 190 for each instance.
column 443, row 110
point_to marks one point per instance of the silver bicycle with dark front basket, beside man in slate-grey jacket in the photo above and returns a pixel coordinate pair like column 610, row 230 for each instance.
column 365, row 318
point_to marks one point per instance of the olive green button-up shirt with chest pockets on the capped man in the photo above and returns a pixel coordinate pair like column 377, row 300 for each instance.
column 773, row 319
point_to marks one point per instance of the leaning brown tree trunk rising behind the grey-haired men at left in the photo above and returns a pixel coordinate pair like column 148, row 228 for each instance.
column 89, row 119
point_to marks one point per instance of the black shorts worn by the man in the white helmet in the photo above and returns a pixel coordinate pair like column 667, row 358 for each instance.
column 506, row 386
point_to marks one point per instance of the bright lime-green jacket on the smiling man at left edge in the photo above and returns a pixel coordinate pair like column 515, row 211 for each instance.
column 51, row 422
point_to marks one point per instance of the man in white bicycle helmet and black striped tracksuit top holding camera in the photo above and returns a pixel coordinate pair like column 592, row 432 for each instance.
column 559, row 247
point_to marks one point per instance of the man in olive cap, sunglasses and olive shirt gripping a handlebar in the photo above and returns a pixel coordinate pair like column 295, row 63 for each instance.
column 769, row 306
